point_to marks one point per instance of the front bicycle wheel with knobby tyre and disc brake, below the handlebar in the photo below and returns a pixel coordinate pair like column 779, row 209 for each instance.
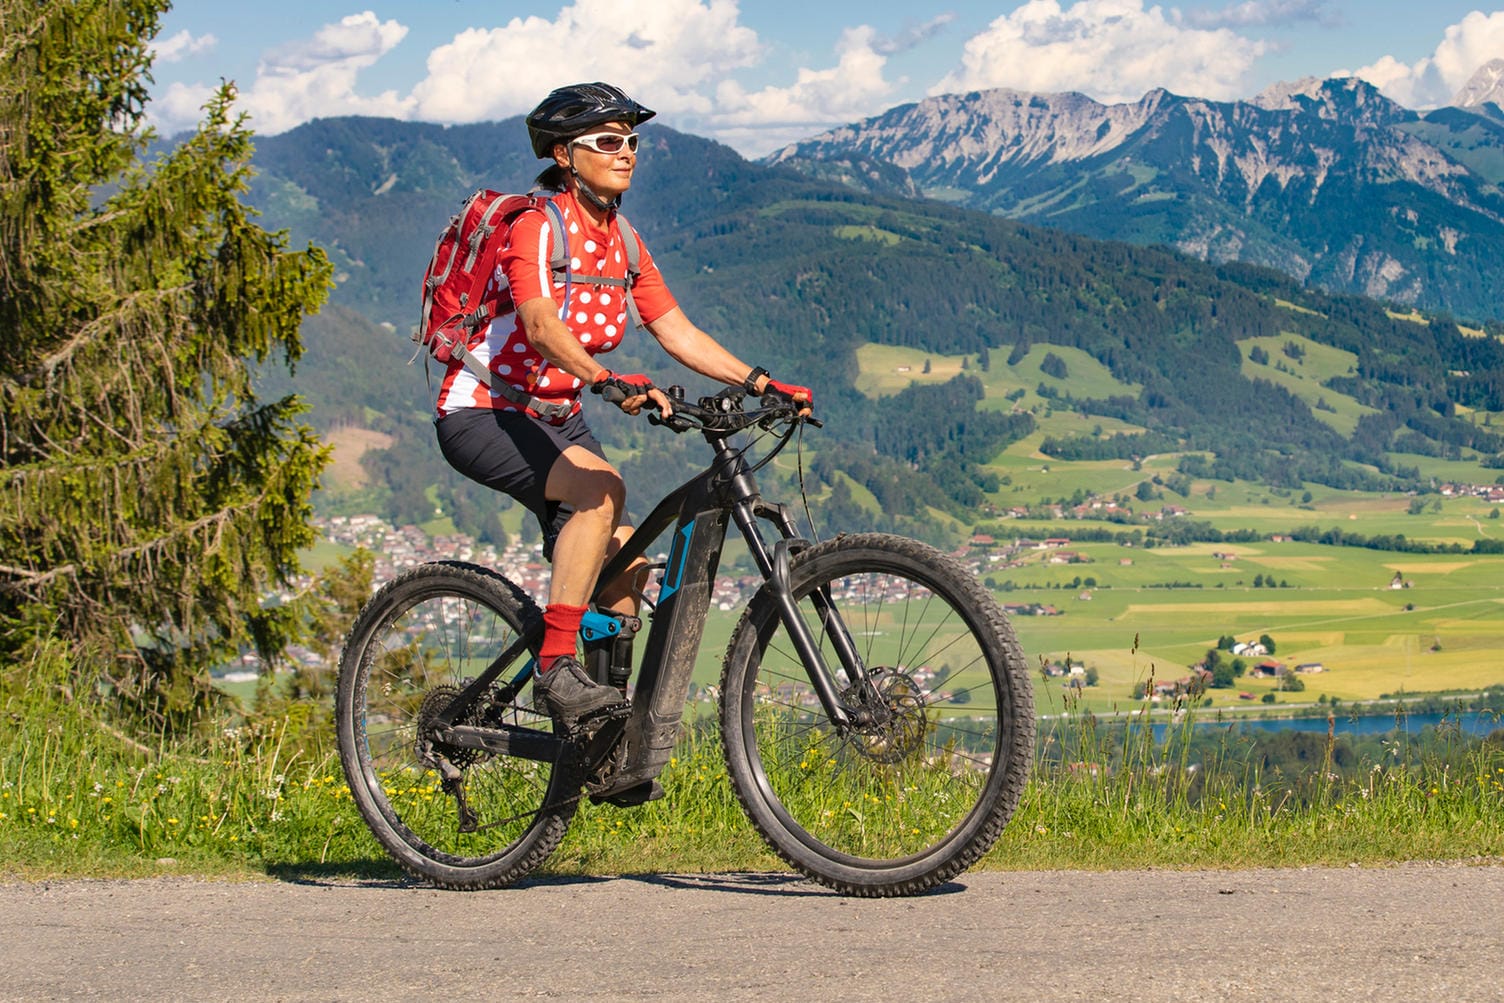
column 926, row 784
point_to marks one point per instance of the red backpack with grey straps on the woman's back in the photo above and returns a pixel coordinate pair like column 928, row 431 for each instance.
column 464, row 292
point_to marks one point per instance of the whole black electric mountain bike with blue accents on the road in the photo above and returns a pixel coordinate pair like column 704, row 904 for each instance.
column 876, row 709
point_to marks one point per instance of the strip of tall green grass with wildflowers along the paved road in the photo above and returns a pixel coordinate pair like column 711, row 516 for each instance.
column 77, row 799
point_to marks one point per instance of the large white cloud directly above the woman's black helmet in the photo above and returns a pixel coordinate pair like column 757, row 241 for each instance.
column 667, row 53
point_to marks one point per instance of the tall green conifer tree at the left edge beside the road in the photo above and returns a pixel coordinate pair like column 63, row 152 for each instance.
column 150, row 500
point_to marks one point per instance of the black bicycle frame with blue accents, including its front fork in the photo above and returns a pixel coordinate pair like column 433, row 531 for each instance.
column 700, row 512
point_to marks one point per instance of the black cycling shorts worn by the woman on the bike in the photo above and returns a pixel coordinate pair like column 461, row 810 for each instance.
column 514, row 453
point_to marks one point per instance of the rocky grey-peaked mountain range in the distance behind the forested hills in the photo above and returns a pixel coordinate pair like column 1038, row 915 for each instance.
column 1324, row 180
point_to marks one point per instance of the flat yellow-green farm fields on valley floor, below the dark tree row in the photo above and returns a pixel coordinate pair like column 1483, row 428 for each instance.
column 1445, row 632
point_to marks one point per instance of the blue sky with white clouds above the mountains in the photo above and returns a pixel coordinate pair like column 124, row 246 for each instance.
column 759, row 76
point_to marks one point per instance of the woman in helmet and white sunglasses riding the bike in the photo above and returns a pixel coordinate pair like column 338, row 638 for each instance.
column 526, row 435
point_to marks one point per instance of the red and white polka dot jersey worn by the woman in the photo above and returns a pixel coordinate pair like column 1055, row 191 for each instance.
column 598, row 315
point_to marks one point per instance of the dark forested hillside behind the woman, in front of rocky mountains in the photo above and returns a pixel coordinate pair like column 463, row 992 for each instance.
column 798, row 274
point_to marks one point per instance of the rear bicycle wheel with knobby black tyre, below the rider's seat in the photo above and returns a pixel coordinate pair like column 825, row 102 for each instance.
column 458, row 817
